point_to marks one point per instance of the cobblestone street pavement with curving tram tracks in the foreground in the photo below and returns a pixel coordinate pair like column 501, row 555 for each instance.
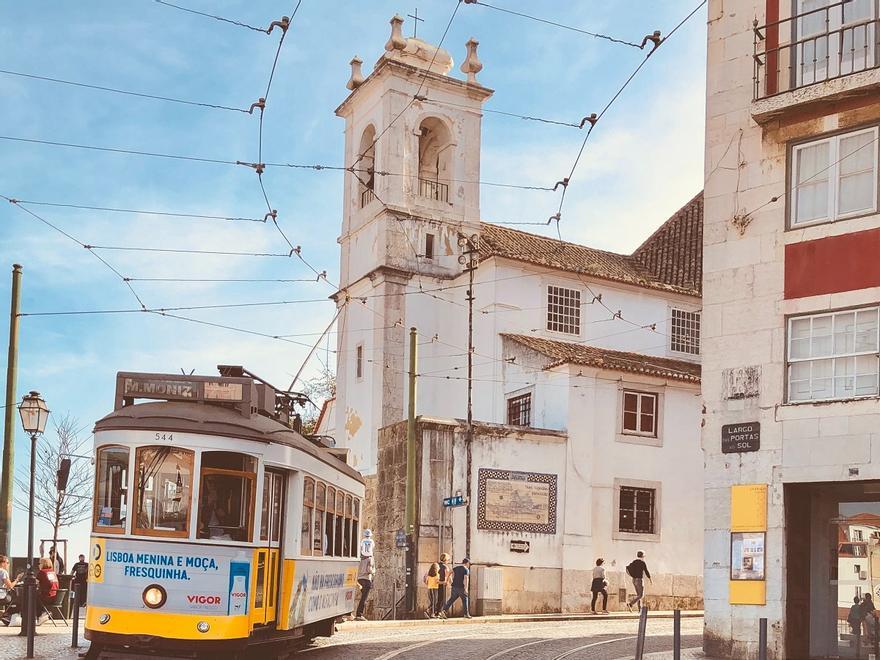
column 439, row 640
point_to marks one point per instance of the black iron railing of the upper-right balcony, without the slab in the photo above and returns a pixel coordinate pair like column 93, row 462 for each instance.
column 816, row 46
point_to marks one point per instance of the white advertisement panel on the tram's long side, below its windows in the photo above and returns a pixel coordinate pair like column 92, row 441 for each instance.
column 321, row 590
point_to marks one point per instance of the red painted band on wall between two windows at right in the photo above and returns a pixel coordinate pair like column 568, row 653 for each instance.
column 834, row 264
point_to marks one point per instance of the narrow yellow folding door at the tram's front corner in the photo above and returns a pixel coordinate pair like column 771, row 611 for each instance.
column 266, row 579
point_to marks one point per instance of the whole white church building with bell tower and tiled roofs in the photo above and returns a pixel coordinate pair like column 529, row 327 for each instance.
column 586, row 373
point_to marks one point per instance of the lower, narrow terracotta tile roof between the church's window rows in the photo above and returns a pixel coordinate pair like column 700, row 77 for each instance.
column 566, row 352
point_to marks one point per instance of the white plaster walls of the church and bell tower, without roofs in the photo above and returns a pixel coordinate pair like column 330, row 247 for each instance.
column 392, row 281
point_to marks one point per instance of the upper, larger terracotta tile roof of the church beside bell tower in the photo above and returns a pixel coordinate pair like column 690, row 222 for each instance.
column 670, row 260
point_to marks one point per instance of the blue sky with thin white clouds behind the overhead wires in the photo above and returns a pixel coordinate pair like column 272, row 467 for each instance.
column 644, row 161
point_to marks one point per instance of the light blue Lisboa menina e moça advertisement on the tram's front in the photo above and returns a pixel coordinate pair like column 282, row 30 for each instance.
column 195, row 578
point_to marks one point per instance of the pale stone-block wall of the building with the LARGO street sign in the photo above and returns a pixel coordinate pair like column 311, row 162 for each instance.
column 745, row 312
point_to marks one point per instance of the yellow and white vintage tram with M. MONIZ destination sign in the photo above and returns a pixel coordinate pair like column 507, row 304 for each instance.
column 216, row 527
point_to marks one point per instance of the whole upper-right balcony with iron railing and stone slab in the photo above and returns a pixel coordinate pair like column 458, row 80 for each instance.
column 820, row 54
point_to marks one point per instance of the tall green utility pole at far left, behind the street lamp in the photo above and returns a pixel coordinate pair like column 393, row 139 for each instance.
column 9, row 420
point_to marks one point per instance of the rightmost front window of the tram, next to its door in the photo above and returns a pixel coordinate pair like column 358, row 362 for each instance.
column 226, row 496
